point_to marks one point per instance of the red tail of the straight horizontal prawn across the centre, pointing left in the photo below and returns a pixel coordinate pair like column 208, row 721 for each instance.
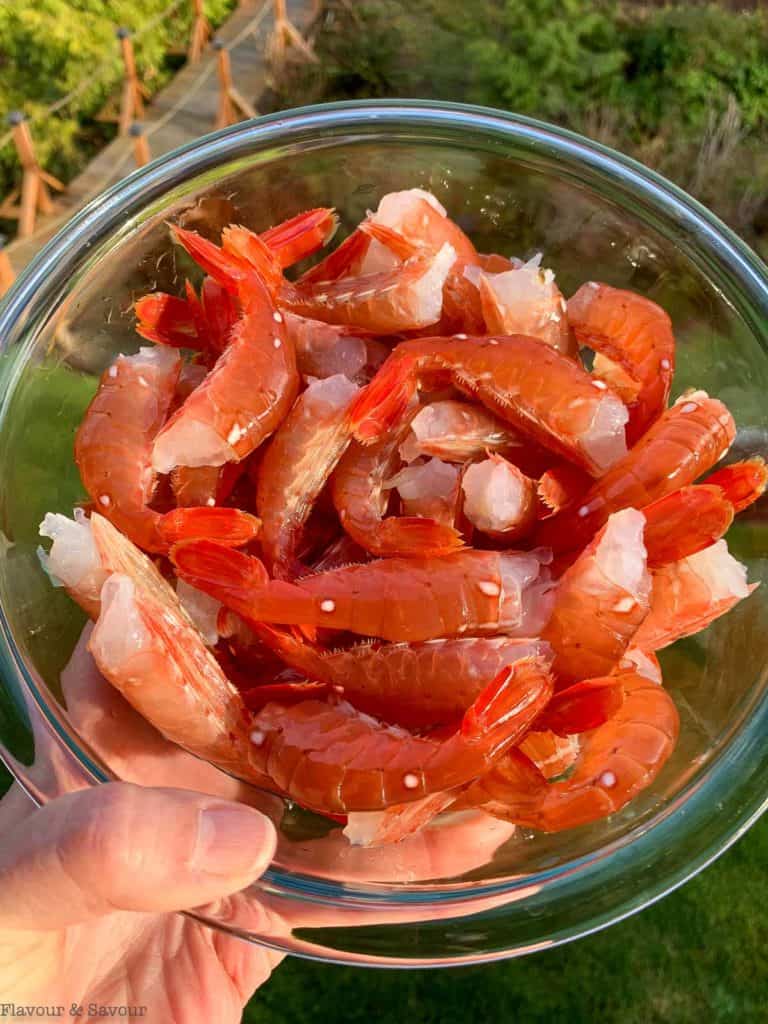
column 217, row 570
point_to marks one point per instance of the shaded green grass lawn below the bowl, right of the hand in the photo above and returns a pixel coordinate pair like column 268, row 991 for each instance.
column 698, row 956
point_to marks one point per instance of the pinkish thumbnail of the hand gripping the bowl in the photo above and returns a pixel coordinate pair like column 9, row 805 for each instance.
column 233, row 839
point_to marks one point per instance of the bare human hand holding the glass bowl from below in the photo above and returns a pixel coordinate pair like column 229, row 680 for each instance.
column 90, row 883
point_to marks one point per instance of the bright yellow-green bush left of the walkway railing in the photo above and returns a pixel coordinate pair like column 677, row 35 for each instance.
column 51, row 47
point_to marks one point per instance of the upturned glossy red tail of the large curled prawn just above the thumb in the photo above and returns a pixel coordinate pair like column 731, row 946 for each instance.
column 508, row 706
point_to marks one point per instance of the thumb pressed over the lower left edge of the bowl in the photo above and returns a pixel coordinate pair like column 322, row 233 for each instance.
column 122, row 847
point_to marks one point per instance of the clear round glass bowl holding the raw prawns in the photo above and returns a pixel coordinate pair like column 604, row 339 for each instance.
column 470, row 889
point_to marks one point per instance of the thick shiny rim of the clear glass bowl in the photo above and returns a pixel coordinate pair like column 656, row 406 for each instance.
column 739, row 774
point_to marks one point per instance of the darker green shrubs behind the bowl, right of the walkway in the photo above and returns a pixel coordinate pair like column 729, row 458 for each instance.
column 684, row 89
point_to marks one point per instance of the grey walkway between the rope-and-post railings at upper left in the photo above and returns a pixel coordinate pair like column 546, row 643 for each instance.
column 183, row 112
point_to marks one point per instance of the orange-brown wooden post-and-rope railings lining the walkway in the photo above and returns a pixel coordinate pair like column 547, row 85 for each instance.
column 32, row 196
